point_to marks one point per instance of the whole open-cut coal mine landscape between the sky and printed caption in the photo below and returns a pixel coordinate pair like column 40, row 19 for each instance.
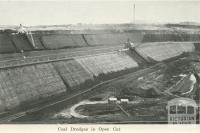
column 117, row 73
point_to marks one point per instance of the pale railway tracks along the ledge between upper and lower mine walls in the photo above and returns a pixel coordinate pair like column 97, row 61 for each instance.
column 24, row 60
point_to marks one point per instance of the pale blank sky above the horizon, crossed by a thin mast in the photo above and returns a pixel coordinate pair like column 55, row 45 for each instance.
column 59, row 12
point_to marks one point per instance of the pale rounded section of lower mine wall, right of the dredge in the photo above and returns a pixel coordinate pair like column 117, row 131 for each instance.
column 162, row 51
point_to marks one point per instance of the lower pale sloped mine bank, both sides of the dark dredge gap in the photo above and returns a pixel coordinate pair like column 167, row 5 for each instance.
column 19, row 85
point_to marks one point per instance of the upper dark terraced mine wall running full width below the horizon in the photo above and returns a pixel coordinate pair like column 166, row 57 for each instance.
column 11, row 42
